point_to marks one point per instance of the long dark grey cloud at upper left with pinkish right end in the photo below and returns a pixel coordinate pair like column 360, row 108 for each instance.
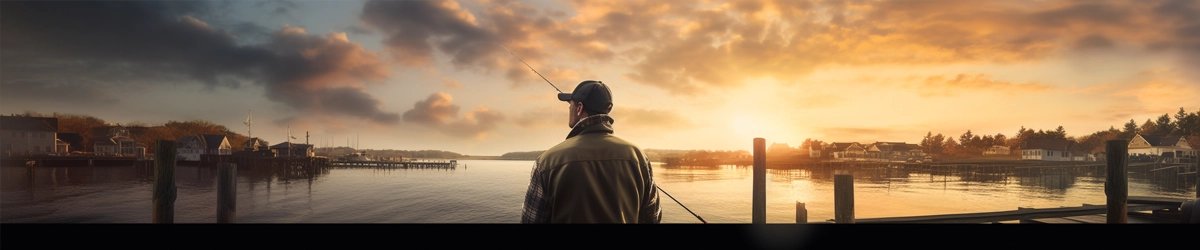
column 322, row 75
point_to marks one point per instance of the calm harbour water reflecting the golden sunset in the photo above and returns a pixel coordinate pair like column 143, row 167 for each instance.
column 494, row 192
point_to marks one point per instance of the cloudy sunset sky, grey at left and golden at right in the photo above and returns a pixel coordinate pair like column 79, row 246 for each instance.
column 686, row 75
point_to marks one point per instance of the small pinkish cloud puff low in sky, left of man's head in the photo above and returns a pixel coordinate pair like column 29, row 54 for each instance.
column 439, row 112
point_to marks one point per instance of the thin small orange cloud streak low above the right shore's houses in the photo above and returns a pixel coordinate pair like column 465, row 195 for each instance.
column 944, row 86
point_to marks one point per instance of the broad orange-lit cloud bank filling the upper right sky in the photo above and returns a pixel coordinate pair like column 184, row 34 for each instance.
column 715, row 49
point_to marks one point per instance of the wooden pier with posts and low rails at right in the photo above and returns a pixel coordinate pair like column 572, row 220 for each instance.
column 1120, row 209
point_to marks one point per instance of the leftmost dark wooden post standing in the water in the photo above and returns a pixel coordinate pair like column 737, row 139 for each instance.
column 165, row 182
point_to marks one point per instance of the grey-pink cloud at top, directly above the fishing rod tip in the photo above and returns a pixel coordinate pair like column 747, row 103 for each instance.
column 416, row 31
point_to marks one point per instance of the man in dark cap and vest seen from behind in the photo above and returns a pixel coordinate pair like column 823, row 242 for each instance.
column 592, row 177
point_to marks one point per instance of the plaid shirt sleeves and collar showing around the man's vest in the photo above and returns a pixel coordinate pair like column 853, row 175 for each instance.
column 538, row 207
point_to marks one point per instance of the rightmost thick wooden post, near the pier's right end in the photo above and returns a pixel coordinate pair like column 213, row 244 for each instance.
column 1117, row 186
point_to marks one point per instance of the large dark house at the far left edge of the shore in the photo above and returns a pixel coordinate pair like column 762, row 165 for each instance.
column 28, row 135
